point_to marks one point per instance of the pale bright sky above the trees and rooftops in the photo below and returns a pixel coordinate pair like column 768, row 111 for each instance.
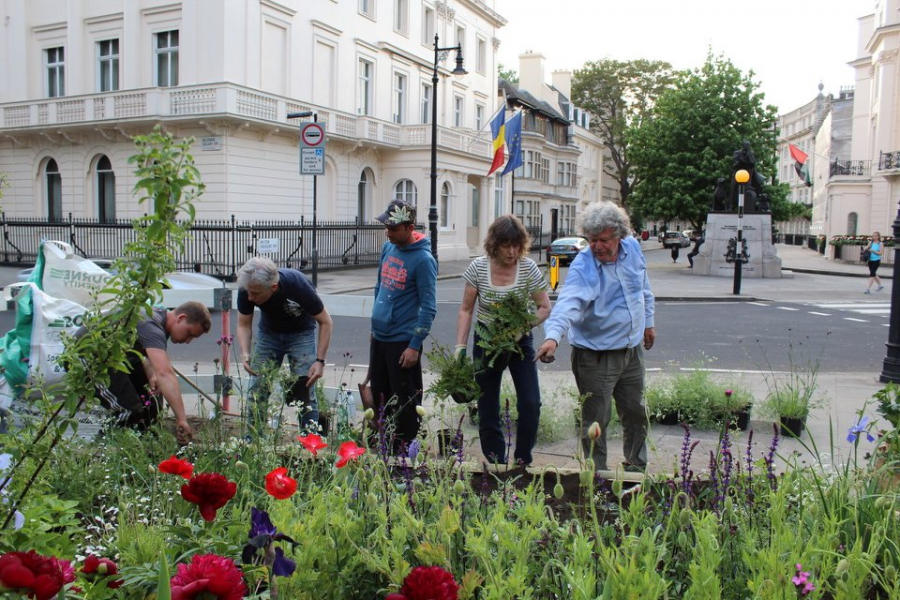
column 791, row 45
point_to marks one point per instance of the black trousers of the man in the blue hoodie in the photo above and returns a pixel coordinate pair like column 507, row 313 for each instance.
column 396, row 389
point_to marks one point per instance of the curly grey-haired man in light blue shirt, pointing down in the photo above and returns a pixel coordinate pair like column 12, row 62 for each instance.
column 606, row 308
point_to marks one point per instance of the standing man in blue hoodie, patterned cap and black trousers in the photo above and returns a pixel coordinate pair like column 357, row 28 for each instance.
column 401, row 319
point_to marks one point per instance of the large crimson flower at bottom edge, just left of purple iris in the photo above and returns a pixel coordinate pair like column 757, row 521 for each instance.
column 210, row 577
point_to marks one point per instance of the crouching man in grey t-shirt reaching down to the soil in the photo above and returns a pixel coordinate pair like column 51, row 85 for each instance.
column 131, row 395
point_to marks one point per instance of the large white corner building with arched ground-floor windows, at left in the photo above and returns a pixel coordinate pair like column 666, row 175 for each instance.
column 79, row 79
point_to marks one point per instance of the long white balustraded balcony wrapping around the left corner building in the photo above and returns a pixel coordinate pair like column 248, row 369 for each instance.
column 225, row 99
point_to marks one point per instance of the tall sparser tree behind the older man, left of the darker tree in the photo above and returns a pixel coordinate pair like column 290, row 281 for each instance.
column 620, row 95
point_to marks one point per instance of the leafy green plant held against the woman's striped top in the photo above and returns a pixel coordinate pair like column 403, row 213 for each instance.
column 512, row 316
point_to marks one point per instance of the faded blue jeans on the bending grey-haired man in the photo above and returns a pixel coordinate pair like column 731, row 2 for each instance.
column 300, row 349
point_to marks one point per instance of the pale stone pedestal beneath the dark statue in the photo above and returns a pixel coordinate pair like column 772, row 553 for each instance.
column 757, row 231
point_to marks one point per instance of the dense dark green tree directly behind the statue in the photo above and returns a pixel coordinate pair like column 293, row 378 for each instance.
column 691, row 137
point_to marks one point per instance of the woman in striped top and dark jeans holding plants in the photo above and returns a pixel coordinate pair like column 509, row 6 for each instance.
column 504, row 269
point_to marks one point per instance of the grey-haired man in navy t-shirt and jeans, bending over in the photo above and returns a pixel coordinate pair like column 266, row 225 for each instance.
column 290, row 310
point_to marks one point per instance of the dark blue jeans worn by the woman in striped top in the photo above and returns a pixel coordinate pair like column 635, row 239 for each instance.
column 491, row 422
